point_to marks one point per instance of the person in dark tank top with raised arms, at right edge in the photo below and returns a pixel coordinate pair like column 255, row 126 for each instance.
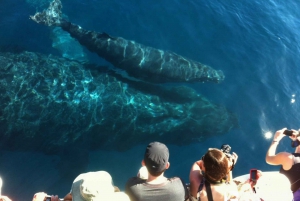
column 290, row 162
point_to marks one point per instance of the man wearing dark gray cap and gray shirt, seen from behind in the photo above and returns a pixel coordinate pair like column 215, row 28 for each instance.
column 156, row 187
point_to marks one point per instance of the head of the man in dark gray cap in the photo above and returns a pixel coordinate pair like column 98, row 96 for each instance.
column 156, row 158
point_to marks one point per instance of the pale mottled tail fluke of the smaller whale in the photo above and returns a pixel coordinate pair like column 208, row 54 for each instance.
column 52, row 16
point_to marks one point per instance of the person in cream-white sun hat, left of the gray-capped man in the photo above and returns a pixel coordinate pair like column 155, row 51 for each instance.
column 95, row 186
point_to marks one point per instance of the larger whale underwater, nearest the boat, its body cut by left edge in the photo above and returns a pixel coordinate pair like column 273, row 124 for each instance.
column 49, row 102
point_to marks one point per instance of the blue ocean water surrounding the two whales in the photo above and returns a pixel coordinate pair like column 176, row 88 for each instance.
column 255, row 43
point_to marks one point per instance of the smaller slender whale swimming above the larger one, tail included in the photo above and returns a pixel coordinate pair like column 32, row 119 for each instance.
column 139, row 61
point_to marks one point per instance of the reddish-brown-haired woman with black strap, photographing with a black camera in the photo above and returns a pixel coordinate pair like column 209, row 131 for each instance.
column 211, row 177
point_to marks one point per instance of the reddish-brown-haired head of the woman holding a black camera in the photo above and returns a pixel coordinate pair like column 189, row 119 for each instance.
column 216, row 165
